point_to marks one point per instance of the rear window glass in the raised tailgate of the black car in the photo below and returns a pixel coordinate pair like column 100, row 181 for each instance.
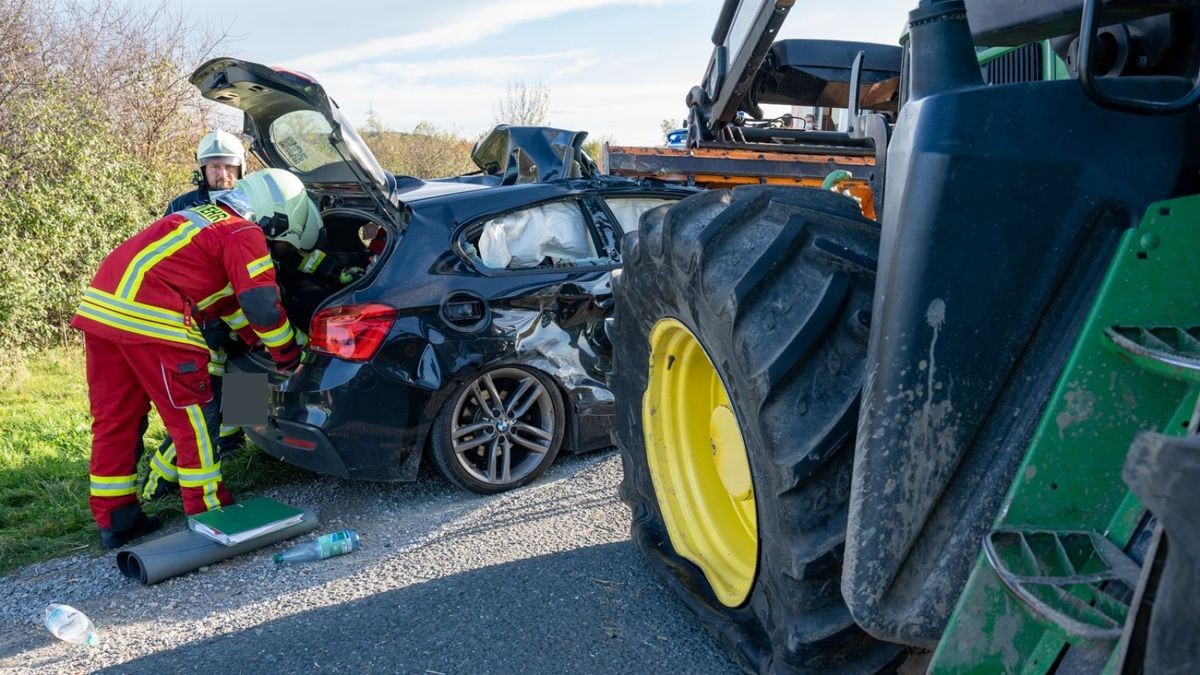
column 304, row 140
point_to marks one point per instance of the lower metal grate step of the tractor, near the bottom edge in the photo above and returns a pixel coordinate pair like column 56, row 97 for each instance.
column 1079, row 582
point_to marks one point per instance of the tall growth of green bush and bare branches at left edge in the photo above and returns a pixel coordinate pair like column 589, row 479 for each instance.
column 98, row 132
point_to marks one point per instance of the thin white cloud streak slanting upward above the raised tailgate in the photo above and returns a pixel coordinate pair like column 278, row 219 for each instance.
column 477, row 25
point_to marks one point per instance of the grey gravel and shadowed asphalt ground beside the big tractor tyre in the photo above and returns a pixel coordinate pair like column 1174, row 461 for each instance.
column 541, row 581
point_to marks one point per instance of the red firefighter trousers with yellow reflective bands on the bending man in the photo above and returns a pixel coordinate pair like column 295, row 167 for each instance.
column 123, row 381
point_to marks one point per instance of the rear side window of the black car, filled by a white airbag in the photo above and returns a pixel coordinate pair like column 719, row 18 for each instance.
column 548, row 236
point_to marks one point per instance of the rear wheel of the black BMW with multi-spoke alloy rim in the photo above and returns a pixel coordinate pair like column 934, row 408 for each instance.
column 472, row 439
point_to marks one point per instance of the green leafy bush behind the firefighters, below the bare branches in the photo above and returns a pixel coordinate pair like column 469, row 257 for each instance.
column 73, row 194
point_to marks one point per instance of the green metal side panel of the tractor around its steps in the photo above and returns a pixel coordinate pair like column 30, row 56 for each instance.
column 1071, row 477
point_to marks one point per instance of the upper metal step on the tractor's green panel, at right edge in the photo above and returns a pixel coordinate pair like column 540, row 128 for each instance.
column 1169, row 351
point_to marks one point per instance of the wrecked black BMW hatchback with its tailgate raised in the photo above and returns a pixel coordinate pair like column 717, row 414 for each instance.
column 476, row 336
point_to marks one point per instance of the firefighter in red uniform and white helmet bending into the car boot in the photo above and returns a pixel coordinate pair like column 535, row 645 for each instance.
column 141, row 319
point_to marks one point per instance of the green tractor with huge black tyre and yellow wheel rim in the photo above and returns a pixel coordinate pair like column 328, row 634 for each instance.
column 848, row 443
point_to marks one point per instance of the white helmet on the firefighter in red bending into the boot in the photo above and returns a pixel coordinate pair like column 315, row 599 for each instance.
column 278, row 202
